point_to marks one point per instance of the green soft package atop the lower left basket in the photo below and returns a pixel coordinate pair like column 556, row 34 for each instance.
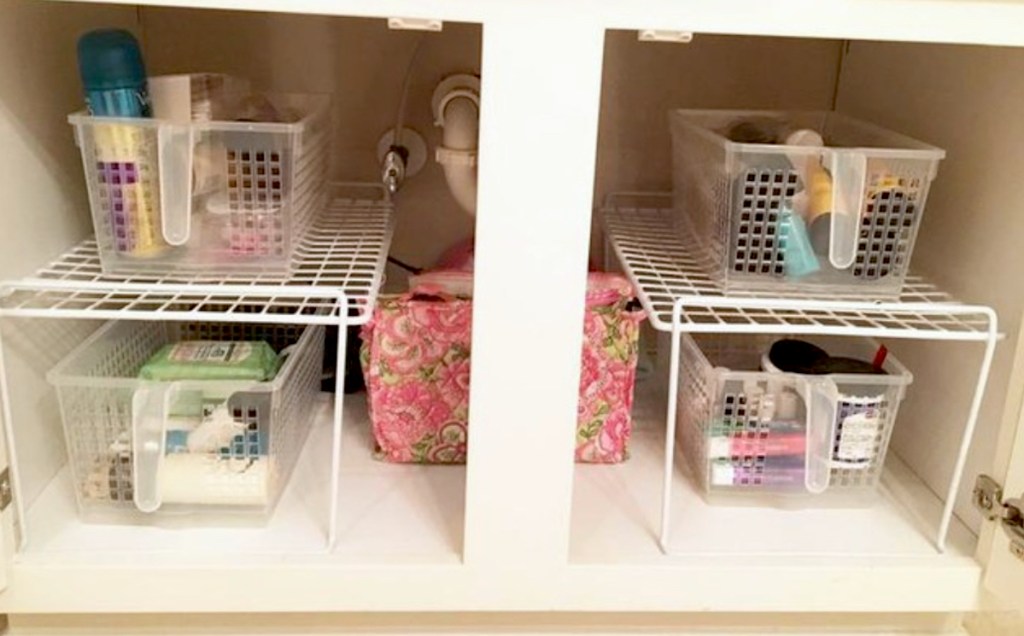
column 208, row 360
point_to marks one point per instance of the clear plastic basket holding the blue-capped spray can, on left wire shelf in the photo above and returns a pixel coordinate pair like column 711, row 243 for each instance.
column 211, row 197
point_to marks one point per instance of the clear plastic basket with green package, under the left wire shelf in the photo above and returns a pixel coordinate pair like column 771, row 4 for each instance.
column 121, row 431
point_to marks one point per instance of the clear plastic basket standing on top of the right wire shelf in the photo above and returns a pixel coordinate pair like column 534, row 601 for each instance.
column 766, row 217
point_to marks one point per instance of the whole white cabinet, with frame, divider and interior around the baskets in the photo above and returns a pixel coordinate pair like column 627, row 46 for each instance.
column 573, row 110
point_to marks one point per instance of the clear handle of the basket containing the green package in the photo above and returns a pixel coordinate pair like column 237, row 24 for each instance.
column 151, row 407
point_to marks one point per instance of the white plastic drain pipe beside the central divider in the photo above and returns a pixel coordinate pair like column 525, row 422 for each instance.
column 458, row 157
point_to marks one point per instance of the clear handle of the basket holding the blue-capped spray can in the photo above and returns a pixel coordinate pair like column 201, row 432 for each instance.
column 176, row 146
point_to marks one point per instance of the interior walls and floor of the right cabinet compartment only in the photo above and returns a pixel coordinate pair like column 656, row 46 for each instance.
column 931, row 93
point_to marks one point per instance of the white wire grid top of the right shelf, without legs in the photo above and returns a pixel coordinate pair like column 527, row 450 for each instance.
column 642, row 232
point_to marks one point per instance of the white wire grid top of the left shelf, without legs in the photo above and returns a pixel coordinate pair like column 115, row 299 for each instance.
column 345, row 252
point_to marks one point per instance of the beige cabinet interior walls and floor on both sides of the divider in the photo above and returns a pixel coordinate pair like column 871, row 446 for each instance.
column 962, row 99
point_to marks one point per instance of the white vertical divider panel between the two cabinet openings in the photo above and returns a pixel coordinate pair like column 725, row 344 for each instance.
column 540, row 103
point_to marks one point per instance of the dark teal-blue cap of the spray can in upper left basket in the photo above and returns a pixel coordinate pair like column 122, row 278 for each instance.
column 110, row 59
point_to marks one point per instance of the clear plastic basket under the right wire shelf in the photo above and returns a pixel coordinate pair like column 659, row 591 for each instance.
column 766, row 437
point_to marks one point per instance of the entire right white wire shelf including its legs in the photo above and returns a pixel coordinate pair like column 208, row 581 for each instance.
column 679, row 299
